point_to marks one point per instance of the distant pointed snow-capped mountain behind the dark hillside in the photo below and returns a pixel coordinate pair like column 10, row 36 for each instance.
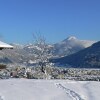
column 70, row 45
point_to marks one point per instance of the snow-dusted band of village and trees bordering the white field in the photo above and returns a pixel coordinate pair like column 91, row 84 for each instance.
column 50, row 73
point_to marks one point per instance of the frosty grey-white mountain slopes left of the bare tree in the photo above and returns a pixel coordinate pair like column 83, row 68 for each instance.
column 21, row 54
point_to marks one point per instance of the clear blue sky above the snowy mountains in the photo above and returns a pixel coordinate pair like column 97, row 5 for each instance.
column 53, row 19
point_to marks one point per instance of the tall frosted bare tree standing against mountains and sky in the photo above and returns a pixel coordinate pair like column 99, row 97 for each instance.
column 43, row 52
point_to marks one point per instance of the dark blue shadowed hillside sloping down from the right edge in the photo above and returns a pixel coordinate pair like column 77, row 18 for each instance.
column 87, row 58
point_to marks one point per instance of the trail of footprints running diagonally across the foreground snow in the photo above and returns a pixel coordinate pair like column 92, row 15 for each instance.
column 71, row 93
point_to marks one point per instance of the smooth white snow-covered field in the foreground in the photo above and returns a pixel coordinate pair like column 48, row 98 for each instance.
column 25, row 89
